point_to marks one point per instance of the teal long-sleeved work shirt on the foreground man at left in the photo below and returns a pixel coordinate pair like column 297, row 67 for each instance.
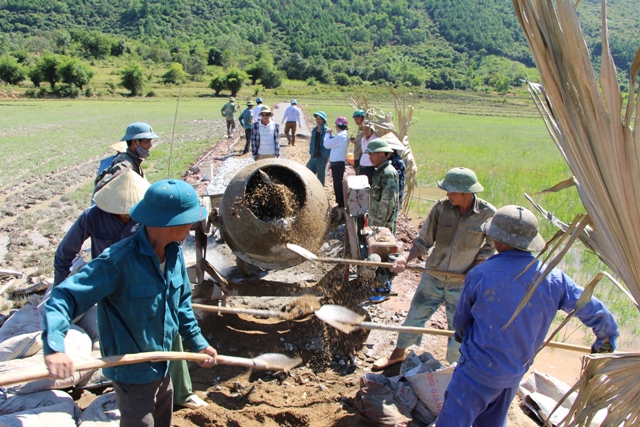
column 140, row 307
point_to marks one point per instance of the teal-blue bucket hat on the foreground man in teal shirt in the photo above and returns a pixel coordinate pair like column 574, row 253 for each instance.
column 169, row 203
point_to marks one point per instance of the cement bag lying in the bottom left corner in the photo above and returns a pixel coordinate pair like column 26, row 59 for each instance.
column 44, row 409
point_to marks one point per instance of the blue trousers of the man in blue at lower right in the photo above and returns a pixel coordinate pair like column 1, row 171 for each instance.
column 469, row 403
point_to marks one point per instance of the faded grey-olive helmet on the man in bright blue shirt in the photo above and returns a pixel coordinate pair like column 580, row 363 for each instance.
column 515, row 226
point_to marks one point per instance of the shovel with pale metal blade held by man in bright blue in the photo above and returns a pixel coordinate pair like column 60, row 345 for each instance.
column 347, row 321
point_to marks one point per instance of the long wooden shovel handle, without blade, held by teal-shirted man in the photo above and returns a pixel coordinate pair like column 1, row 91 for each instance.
column 127, row 359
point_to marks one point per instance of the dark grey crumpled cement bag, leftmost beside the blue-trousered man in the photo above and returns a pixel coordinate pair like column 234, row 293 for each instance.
column 377, row 401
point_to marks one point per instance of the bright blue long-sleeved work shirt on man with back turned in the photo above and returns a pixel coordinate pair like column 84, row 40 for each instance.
column 491, row 294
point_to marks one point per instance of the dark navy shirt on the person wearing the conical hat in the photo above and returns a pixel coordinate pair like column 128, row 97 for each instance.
column 103, row 228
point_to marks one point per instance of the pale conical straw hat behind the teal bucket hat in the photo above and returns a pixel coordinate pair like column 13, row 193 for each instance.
column 121, row 193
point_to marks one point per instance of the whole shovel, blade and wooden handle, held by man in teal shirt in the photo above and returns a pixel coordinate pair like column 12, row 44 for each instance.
column 268, row 361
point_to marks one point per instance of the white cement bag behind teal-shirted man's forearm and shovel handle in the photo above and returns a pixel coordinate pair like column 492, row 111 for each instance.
column 78, row 348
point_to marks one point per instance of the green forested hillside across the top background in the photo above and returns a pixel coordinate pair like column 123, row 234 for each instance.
column 439, row 44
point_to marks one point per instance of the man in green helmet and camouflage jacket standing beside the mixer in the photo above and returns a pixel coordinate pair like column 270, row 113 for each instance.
column 383, row 199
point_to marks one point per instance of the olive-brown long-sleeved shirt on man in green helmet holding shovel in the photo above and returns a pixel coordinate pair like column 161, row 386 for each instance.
column 457, row 240
